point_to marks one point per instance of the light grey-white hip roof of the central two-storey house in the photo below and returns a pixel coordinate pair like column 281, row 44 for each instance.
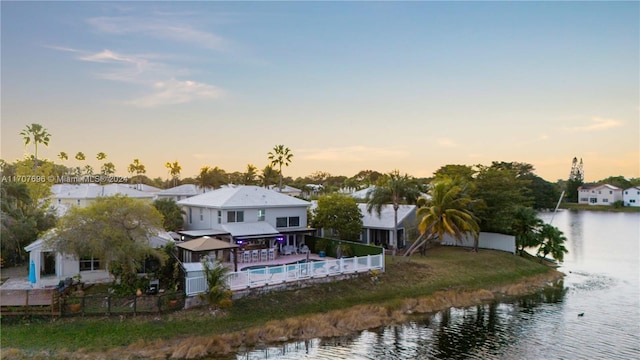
column 243, row 197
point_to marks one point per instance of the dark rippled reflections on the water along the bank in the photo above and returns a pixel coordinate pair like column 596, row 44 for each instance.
column 457, row 333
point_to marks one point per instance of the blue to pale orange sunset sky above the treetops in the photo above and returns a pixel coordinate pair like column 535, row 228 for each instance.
column 347, row 86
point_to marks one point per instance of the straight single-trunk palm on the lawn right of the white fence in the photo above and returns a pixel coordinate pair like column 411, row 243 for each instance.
column 395, row 189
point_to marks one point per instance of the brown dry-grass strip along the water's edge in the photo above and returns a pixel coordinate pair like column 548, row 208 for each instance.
column 334, row 323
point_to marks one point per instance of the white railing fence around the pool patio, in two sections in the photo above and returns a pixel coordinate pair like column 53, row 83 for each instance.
column 271, row 275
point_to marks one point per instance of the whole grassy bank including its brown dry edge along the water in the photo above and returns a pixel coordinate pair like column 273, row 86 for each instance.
column 446, row 277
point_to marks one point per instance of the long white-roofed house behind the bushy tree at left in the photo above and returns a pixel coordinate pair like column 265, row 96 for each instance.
column 66, row 195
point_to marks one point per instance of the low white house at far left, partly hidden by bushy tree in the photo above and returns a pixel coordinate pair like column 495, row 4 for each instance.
column 51, row 266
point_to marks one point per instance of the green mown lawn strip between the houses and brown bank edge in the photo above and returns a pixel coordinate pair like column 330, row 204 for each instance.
column 442, row 268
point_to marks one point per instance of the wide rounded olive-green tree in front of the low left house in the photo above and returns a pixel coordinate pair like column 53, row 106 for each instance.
column 114, row 229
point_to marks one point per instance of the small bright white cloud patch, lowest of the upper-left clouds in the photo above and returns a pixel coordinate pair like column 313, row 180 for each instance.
column 177, row 92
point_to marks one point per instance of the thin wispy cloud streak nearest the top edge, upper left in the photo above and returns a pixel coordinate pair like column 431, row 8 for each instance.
column 163, row 28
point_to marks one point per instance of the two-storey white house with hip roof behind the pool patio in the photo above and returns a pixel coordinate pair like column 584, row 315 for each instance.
column 247, row 215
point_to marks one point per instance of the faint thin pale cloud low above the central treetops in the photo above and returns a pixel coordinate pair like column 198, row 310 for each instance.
column 350, row 153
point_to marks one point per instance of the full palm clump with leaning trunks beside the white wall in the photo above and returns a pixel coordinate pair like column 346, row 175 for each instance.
column 446, row 213
